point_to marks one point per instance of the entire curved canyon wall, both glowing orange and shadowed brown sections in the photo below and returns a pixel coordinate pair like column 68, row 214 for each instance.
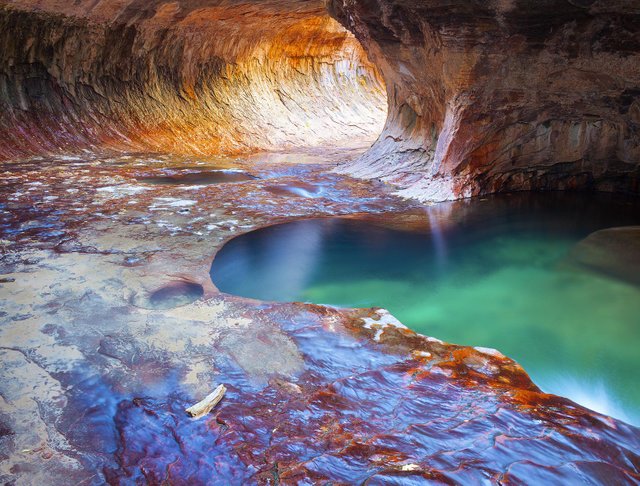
column 483, row 96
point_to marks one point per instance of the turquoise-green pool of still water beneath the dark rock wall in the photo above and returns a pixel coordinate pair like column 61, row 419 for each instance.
column 487, row 273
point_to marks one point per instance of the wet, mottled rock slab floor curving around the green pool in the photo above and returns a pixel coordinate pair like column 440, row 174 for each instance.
column 110, row 328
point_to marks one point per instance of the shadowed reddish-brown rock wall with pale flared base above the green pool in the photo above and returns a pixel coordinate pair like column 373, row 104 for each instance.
column 504, row 94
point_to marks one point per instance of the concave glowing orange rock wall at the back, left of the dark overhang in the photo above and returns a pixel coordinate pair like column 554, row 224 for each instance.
column 189, row 76
